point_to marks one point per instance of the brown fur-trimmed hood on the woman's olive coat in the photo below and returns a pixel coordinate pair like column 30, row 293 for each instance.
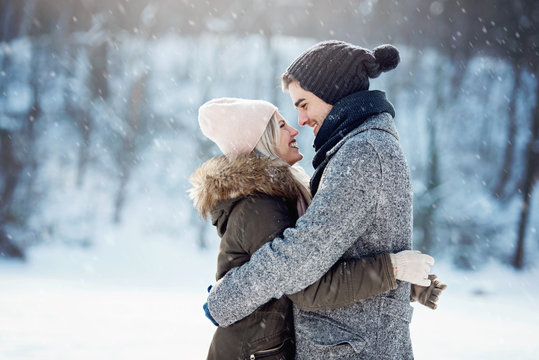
column 220, row 179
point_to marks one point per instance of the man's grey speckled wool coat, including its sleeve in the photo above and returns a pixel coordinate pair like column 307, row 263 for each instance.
column 363, row 207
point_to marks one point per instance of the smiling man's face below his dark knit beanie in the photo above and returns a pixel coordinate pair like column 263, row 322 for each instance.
column 311, row 109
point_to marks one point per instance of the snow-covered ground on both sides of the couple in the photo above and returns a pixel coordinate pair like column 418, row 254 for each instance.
column 68, row 303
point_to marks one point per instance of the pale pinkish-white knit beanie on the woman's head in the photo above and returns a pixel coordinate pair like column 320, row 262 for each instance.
column 235, row 125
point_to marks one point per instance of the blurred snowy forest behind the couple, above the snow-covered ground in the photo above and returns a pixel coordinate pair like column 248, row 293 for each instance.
column 99, row 99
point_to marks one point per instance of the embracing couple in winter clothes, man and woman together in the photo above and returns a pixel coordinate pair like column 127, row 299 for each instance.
column 318, row 268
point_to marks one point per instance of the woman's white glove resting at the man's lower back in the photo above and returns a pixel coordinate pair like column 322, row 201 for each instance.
column 412, row 266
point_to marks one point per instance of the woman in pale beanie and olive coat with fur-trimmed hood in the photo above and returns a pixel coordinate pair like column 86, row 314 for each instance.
column 253, row 194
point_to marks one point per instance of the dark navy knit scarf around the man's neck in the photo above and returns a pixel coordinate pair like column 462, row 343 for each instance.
column 347, row 114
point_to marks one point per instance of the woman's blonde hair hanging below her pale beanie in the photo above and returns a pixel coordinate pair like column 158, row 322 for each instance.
column 266, row 148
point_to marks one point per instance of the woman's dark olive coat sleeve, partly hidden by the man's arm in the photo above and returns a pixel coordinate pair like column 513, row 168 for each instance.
column 347, row 282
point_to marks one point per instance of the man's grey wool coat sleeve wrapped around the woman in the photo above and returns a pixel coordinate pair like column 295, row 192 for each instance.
column 342, row 211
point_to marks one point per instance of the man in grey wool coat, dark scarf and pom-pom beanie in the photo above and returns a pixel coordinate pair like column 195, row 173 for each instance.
column 362, row 206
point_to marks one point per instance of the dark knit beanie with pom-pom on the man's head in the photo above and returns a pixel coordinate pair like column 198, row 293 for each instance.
column 335, row 69
